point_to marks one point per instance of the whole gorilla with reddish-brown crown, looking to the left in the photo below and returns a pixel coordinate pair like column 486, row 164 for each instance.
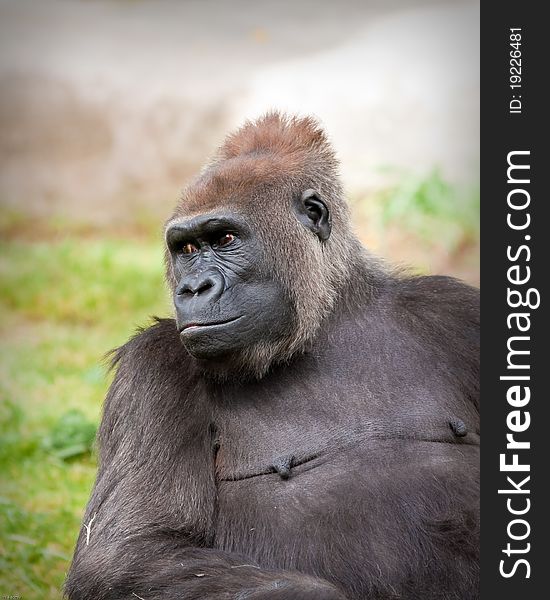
column 307, row 427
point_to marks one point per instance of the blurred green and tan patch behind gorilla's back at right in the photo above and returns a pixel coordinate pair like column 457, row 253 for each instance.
column 422, row 221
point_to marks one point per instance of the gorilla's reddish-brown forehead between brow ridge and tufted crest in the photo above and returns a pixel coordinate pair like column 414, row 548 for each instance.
column 242, row 182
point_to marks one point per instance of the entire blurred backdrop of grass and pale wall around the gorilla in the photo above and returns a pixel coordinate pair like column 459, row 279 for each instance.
column 107, row 108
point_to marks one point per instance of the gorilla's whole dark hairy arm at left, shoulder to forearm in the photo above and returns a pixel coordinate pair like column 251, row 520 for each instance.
column 149, row 523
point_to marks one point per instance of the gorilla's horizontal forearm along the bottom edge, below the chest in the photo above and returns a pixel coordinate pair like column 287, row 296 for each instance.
column 155, row 569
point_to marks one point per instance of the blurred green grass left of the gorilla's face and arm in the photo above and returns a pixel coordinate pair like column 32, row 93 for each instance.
column 63, row 304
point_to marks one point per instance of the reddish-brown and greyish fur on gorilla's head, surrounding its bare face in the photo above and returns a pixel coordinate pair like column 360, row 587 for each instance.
column 256, row 173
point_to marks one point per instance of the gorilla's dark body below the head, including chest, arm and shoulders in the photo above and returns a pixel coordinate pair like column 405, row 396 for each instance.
column 381, row 500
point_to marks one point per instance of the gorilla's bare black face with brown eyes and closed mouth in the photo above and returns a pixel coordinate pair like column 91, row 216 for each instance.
column 226, row 298
